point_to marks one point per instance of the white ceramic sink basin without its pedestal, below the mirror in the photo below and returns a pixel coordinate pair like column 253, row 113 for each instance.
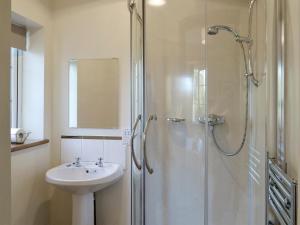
column 88, row 177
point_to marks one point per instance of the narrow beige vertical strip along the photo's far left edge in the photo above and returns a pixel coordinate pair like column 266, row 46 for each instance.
column 4, row 113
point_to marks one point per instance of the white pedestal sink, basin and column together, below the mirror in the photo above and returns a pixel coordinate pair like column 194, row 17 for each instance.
column 82, row 181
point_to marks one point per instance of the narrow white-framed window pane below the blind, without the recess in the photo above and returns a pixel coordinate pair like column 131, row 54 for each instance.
column 16, row 87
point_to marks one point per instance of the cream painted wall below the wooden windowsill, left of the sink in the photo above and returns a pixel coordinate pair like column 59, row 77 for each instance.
column 30, row 202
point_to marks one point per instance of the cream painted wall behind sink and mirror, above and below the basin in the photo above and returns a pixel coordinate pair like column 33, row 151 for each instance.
column 90, row 29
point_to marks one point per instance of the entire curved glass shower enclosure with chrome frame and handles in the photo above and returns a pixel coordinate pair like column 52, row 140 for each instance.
column 181, row 77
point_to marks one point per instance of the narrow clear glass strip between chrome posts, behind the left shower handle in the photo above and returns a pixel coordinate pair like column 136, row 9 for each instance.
column 137, row 109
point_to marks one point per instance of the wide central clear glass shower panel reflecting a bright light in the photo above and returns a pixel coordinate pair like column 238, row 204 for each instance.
column 175, row 89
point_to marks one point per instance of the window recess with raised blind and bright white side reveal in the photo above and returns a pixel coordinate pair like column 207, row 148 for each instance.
column 28, row 79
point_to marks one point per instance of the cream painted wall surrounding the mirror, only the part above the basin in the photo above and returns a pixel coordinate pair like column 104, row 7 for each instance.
column 93, row 29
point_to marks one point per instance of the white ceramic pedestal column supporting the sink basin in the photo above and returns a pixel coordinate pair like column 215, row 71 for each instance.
column 83, row 209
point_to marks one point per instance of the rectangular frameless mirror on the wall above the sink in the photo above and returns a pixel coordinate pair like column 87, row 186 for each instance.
column 94, row 93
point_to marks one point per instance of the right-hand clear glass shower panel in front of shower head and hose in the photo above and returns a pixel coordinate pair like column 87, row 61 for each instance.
column 236, row 184
